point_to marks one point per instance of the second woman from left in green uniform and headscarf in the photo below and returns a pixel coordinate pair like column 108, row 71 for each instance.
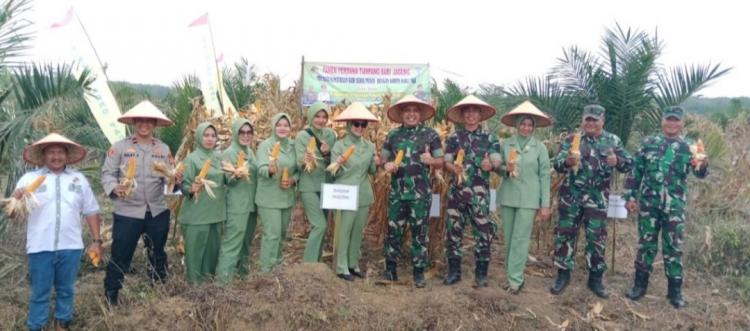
column 241, row 217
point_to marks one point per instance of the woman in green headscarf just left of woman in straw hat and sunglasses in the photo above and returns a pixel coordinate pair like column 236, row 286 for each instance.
column 311, row 180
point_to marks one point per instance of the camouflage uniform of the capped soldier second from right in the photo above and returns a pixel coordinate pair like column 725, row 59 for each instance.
column 583, row 199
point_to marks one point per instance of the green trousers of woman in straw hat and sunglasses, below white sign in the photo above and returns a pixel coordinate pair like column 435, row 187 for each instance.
column 350, row 227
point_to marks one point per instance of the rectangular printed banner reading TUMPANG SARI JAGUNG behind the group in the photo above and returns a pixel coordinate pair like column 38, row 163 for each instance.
column 366, row 83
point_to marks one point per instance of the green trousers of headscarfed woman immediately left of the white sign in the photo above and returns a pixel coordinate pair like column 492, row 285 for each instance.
column 318, row 223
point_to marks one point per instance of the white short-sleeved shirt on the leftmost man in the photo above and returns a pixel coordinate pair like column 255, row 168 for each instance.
column 56, row 223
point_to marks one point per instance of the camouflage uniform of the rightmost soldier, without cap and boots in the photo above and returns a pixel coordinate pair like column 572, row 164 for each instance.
column 659, row 181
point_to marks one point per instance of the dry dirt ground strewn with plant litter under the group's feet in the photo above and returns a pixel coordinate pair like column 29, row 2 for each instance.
column 302, row 296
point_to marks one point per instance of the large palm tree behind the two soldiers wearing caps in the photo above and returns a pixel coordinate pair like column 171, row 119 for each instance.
column 625, row 77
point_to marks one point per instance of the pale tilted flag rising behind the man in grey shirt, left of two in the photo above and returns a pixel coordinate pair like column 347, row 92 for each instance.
column 99, row 98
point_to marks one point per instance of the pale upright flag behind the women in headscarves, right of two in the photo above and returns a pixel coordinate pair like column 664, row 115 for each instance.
column 212, row 84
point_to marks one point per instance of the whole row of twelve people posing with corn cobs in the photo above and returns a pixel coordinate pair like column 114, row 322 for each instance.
column 225, row 192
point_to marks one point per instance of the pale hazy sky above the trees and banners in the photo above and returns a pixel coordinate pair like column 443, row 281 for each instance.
column 472, row 42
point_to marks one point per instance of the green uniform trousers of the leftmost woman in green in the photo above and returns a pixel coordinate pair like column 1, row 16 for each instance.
column 201, row 250
